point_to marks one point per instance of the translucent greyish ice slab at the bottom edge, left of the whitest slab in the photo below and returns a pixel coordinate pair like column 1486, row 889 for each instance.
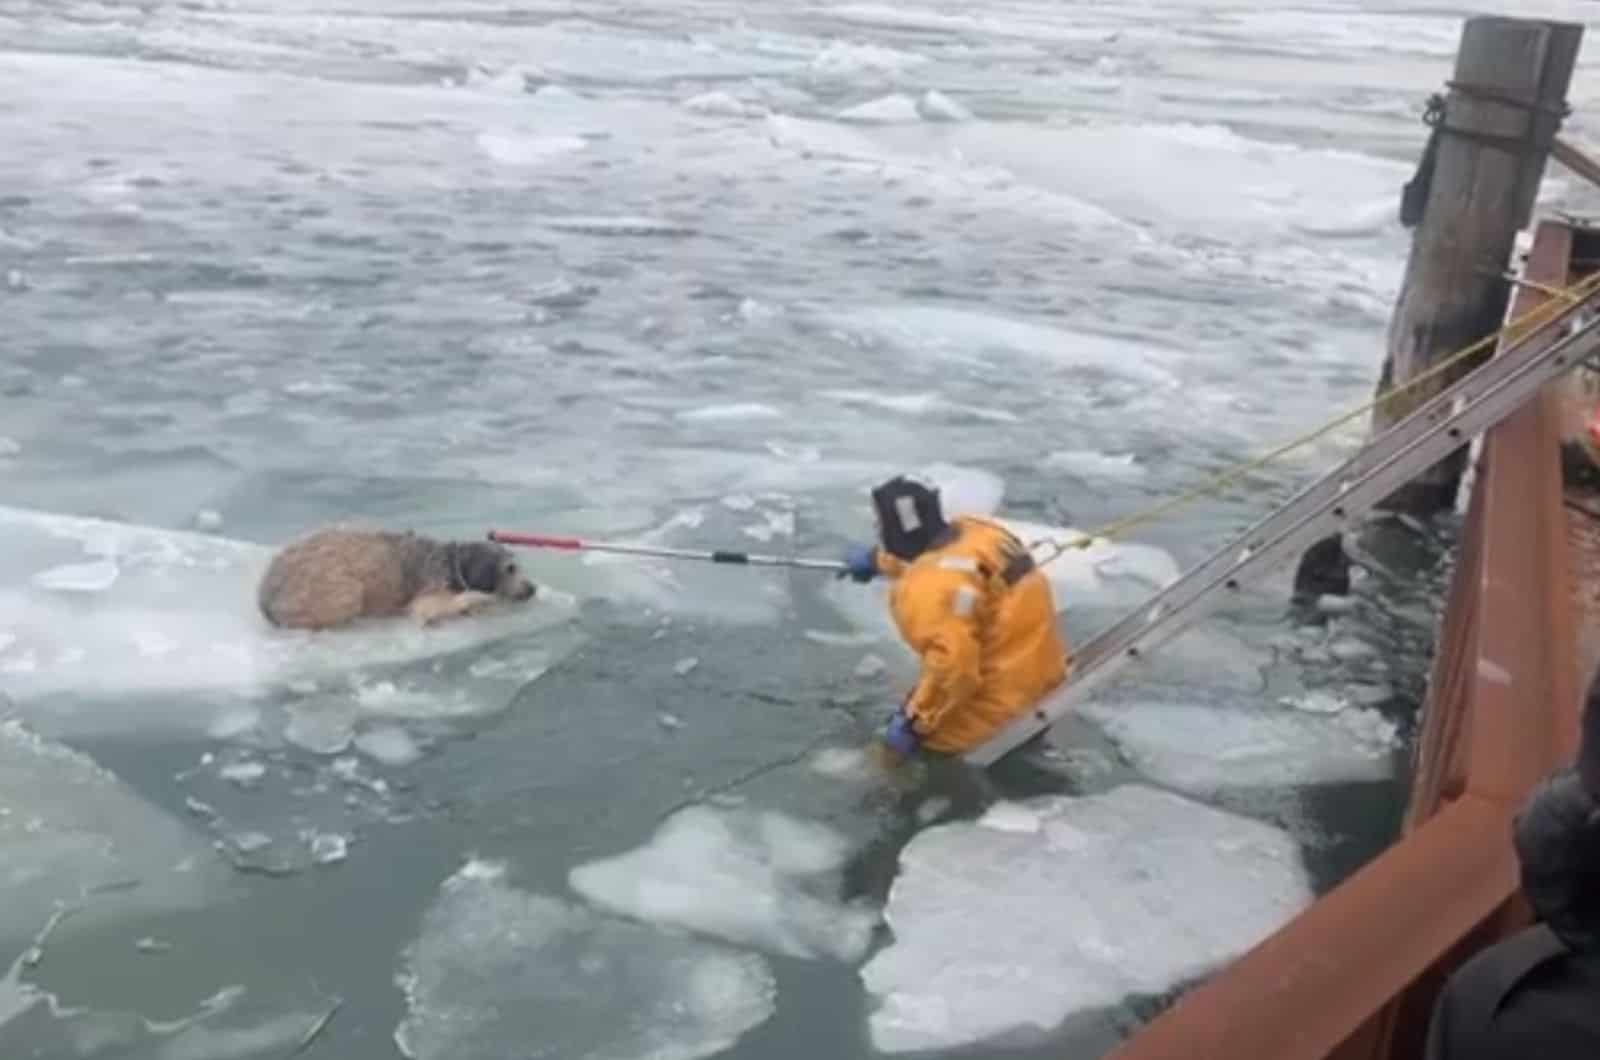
column 497, row 970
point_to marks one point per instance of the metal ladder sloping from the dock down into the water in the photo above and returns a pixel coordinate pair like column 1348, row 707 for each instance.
column 1431, row 433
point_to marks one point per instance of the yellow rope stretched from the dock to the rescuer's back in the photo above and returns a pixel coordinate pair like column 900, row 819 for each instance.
column 1561, row 300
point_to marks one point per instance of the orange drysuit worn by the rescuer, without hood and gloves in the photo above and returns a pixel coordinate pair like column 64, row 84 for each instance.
column 982, row 619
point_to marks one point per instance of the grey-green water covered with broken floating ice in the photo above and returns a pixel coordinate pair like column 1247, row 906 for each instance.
column 692, row 275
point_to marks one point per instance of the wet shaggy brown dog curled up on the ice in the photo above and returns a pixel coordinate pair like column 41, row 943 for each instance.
column 338, row 576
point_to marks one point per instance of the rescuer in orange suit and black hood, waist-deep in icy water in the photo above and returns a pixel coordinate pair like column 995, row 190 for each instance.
column 977, row 611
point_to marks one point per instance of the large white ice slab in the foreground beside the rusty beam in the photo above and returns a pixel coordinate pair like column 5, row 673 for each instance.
column 1007, row 933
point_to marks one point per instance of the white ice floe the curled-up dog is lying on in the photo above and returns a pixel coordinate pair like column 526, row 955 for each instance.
column 161, row 611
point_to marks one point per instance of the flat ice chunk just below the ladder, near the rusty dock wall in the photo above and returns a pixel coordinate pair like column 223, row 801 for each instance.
column 1204, row 750
